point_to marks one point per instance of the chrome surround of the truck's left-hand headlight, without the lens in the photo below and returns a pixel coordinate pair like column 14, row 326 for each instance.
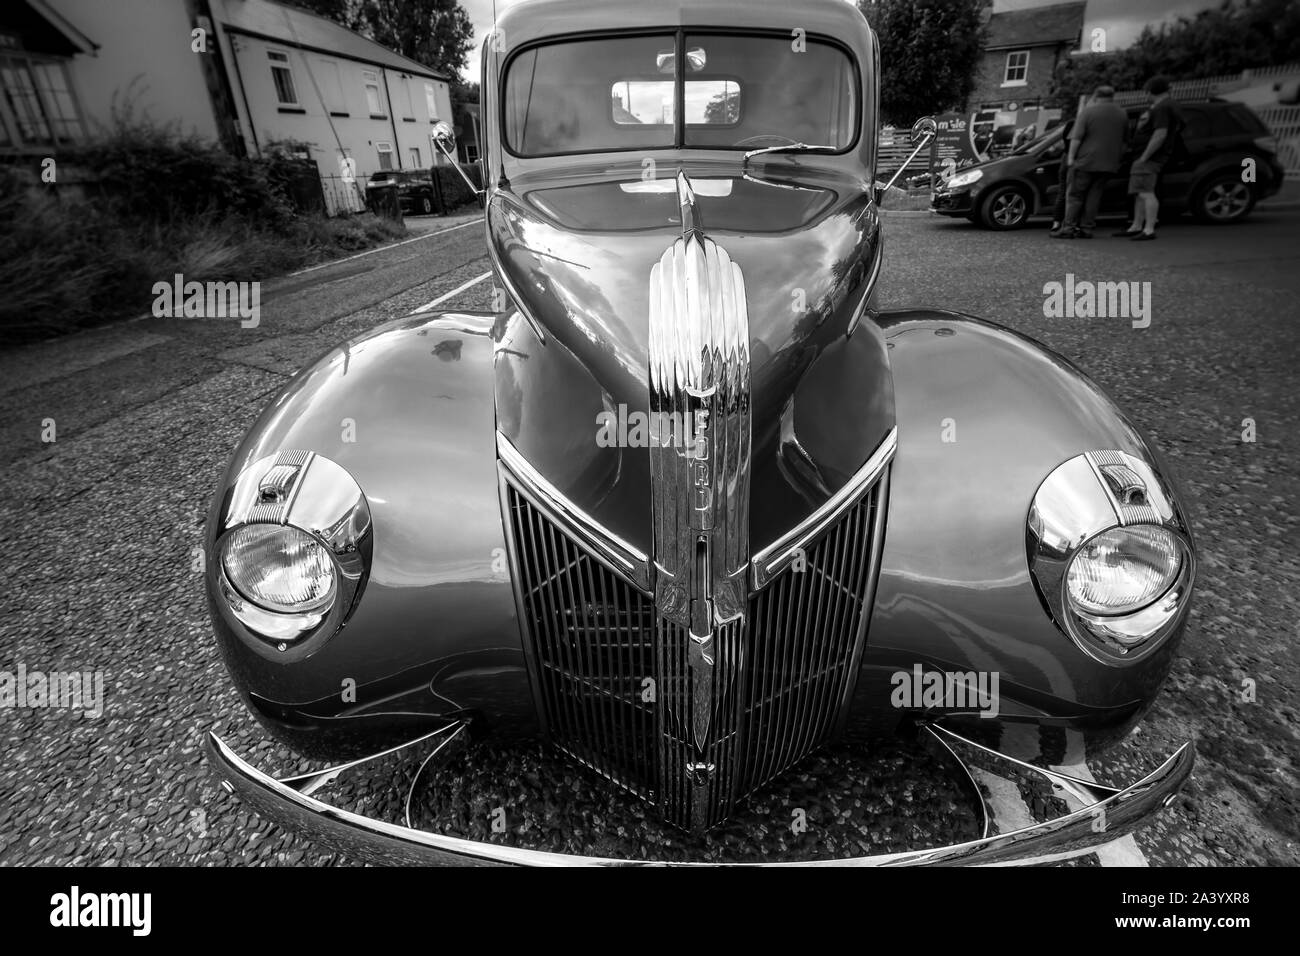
column 318, row 498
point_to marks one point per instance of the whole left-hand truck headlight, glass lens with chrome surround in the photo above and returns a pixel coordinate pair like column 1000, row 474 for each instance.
column 293, row 551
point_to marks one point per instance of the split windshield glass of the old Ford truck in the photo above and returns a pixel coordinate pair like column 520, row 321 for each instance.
column 736, row 93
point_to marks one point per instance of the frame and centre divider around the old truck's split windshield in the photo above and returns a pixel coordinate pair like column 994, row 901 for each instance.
column 679, row 77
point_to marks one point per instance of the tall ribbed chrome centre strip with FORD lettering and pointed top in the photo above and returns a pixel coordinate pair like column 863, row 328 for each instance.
column 700, row 466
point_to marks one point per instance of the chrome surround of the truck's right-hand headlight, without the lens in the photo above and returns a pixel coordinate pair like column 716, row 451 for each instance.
column 1081, row 500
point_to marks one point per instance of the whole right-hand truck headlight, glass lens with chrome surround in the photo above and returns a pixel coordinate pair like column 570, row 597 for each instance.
column 1111, row 555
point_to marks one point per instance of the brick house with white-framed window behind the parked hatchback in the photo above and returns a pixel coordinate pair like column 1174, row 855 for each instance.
column 1021, row 54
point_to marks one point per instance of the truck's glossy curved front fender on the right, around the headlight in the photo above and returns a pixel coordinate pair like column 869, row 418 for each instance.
column 985, row 416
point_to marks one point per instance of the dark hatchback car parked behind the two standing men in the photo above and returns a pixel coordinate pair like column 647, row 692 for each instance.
column 1206, row 180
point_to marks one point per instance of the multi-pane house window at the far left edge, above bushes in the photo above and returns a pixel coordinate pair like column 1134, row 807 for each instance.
column 38, row 102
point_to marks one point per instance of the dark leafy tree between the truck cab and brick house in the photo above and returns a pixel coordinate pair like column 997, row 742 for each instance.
column 929, row 54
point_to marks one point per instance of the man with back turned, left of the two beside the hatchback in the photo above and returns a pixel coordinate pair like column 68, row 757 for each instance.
column 1097, row 149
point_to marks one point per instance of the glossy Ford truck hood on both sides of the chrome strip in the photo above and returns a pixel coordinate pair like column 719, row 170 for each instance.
column 575, row 252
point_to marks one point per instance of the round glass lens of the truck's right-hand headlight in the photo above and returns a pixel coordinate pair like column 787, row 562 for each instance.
column 1124, row 570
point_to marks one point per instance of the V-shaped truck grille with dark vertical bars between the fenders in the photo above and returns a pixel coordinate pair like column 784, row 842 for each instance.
column 785, row 672
